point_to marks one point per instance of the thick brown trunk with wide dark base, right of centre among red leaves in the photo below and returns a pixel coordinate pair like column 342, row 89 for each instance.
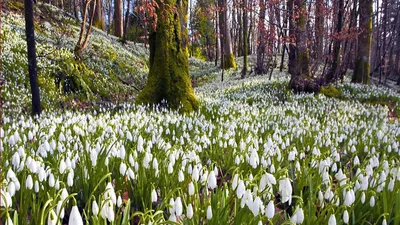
column 301, row 80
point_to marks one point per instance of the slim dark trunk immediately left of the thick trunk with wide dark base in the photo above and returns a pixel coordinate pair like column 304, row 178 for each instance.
column 292, row 49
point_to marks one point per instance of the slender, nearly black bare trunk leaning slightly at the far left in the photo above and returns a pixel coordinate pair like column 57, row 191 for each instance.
column 32, row 64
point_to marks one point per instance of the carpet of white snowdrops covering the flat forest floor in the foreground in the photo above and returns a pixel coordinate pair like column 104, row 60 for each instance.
column 254, row 153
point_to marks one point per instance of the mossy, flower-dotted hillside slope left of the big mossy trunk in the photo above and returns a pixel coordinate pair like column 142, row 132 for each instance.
column 110, row 71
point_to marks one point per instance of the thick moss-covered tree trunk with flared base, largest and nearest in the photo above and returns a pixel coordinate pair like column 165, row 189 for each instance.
column 169, row 67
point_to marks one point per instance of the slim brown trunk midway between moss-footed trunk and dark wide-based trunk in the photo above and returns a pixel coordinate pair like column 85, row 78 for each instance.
column 261, row 39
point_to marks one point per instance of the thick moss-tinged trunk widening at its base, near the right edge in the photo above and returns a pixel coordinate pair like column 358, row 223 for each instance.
column 362, row 66
